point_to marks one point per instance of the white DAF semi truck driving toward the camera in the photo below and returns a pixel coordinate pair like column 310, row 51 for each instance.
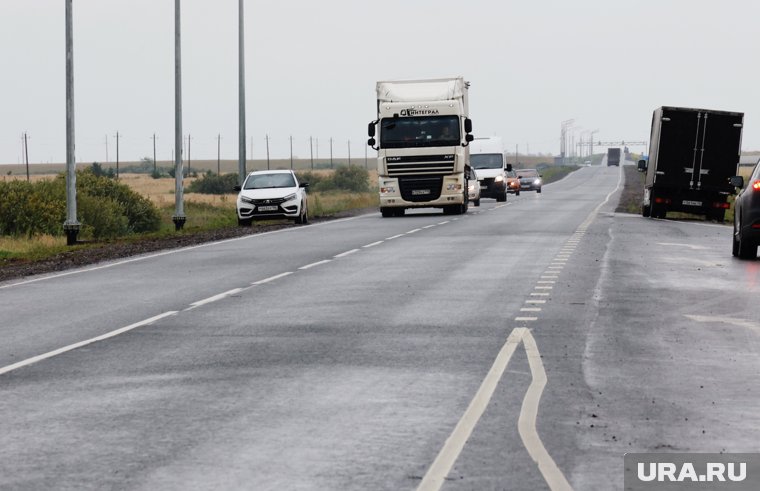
column 422, row 134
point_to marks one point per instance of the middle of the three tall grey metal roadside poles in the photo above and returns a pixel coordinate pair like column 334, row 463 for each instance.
column 179, row 217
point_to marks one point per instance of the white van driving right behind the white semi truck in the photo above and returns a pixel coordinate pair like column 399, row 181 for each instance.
column 489, row 157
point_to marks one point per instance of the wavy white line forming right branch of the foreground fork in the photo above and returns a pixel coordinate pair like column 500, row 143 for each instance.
column 527, row 420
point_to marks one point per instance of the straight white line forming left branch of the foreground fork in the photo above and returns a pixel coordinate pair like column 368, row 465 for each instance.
column 433, row 479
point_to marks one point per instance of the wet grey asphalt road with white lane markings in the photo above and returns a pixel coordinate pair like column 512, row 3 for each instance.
column 525, row 345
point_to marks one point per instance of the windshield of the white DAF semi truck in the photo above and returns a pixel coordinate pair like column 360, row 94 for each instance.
column 428, row 131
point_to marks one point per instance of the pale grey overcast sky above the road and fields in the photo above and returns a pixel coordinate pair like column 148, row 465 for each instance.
column 311, row 68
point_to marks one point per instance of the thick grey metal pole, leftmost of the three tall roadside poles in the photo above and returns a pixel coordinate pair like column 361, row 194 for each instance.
column 71, row 225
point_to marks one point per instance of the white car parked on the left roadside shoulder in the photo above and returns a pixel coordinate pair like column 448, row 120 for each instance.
column 271, row 194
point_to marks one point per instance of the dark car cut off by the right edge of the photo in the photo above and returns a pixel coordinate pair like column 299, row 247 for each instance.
column 747, row 216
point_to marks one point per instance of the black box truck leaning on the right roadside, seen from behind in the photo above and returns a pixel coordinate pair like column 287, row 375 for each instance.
column 692, row 155
